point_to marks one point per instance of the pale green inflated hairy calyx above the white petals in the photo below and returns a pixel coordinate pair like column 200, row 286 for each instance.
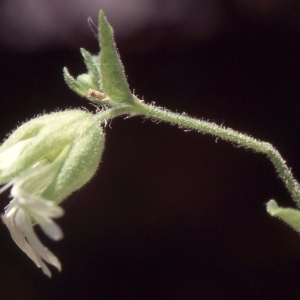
column 53, row 154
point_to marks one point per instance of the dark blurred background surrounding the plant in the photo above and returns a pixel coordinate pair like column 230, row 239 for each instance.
column 170, row 214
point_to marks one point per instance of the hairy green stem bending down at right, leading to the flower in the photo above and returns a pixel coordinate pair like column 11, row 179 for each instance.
column 224, row 133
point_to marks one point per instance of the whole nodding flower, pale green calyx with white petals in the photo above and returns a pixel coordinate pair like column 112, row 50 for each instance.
column 43, row 162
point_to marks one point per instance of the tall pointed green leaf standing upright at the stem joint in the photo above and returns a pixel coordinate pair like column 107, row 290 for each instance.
column 114, row 81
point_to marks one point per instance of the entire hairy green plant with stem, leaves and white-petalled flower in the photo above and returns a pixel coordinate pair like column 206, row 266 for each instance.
column 49, row 157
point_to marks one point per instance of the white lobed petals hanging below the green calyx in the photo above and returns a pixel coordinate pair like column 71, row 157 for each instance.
column 19, row 216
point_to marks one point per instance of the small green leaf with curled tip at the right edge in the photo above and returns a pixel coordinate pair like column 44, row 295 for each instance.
column 290, row 216
